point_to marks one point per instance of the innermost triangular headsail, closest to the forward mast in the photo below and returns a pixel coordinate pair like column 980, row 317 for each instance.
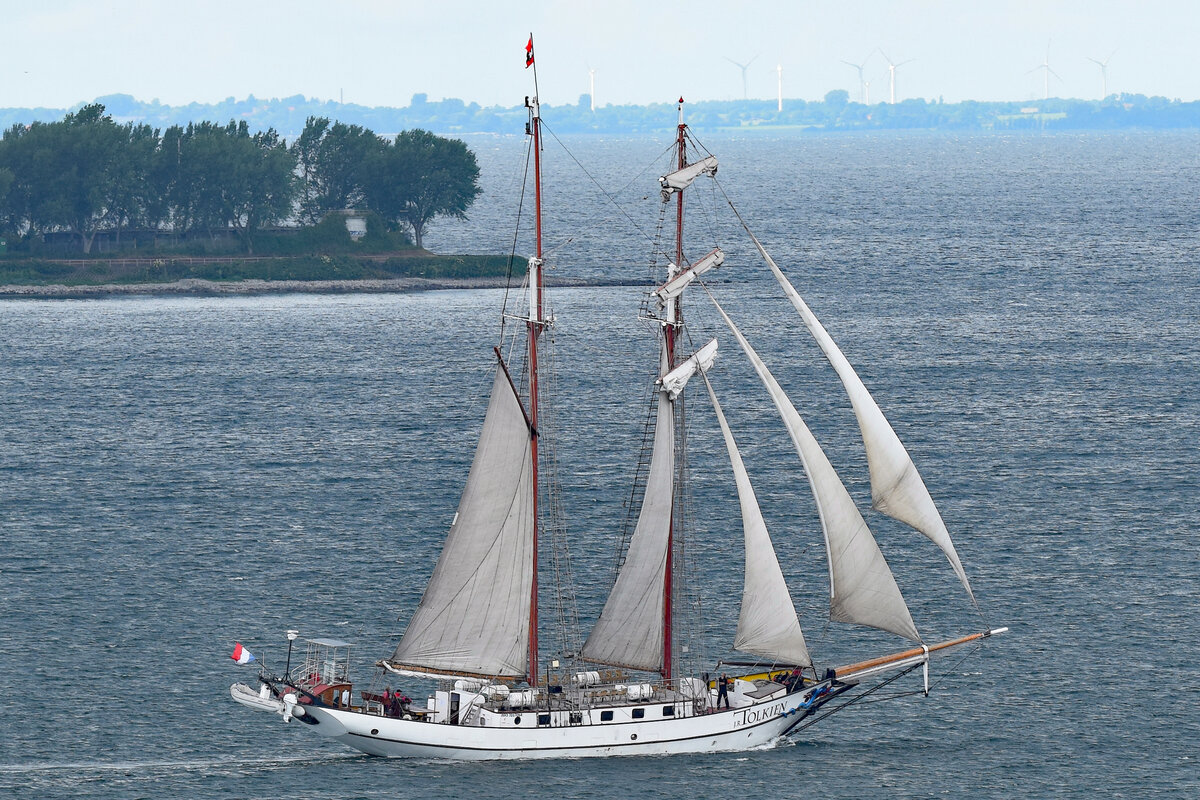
column 767, row 625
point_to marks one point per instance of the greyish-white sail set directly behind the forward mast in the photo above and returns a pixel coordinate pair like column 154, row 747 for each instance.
column 629, row 633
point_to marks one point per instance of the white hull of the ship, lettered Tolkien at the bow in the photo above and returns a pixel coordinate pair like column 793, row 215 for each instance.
column 729, row 730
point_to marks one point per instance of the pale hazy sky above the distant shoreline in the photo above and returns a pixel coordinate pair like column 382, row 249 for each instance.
column 63, row 53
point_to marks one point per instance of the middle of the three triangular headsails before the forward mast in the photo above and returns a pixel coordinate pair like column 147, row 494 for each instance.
column 862, row 588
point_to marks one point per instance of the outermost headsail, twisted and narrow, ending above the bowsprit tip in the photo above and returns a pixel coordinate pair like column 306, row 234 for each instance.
column 897, row 488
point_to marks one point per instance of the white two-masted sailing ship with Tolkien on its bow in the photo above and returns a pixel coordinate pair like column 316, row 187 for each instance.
column 632, row 688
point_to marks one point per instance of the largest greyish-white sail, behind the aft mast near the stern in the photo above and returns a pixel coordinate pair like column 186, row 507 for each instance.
column 475, row 617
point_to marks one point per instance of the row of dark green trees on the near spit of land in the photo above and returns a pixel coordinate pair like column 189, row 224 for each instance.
column 88, row 173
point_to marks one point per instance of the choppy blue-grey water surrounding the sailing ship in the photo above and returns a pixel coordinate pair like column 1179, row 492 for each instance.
column 179, row 473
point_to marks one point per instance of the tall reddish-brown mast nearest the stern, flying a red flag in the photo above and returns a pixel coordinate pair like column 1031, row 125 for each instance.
column 536, row 323
